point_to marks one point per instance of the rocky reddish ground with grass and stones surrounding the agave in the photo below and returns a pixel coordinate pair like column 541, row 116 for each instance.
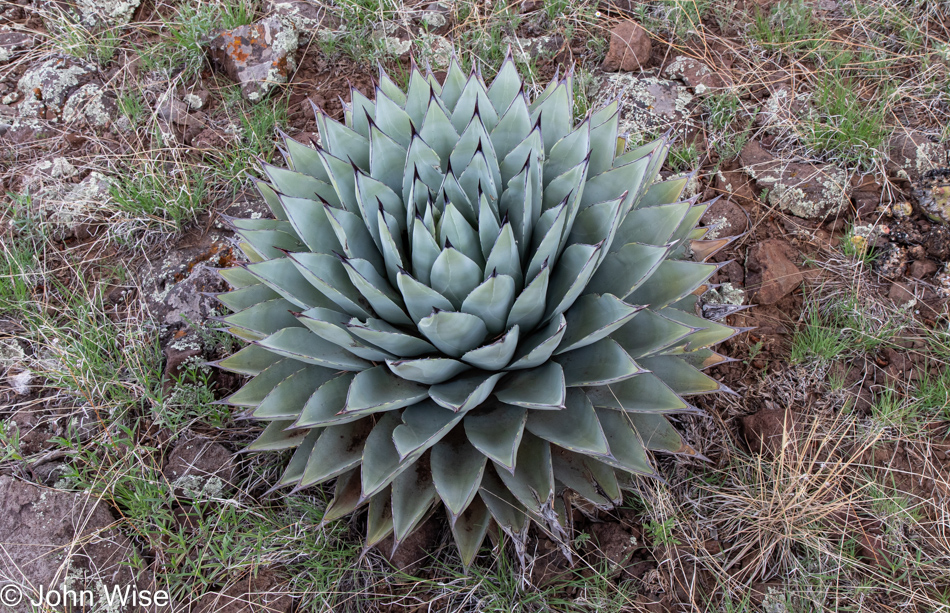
column 130, row 130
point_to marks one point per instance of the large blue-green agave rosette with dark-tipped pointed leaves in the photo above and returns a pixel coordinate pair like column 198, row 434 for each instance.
column 464, row 297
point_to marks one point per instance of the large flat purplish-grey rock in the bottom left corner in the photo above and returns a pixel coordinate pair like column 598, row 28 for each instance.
column 61, row 541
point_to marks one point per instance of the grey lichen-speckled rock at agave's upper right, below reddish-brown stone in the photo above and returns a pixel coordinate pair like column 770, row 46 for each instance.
column 647, row 105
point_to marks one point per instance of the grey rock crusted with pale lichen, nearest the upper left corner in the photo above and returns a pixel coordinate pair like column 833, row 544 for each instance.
column 47, row 87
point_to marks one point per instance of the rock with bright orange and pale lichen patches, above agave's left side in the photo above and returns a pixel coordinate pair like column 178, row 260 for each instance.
column 258, row 57
